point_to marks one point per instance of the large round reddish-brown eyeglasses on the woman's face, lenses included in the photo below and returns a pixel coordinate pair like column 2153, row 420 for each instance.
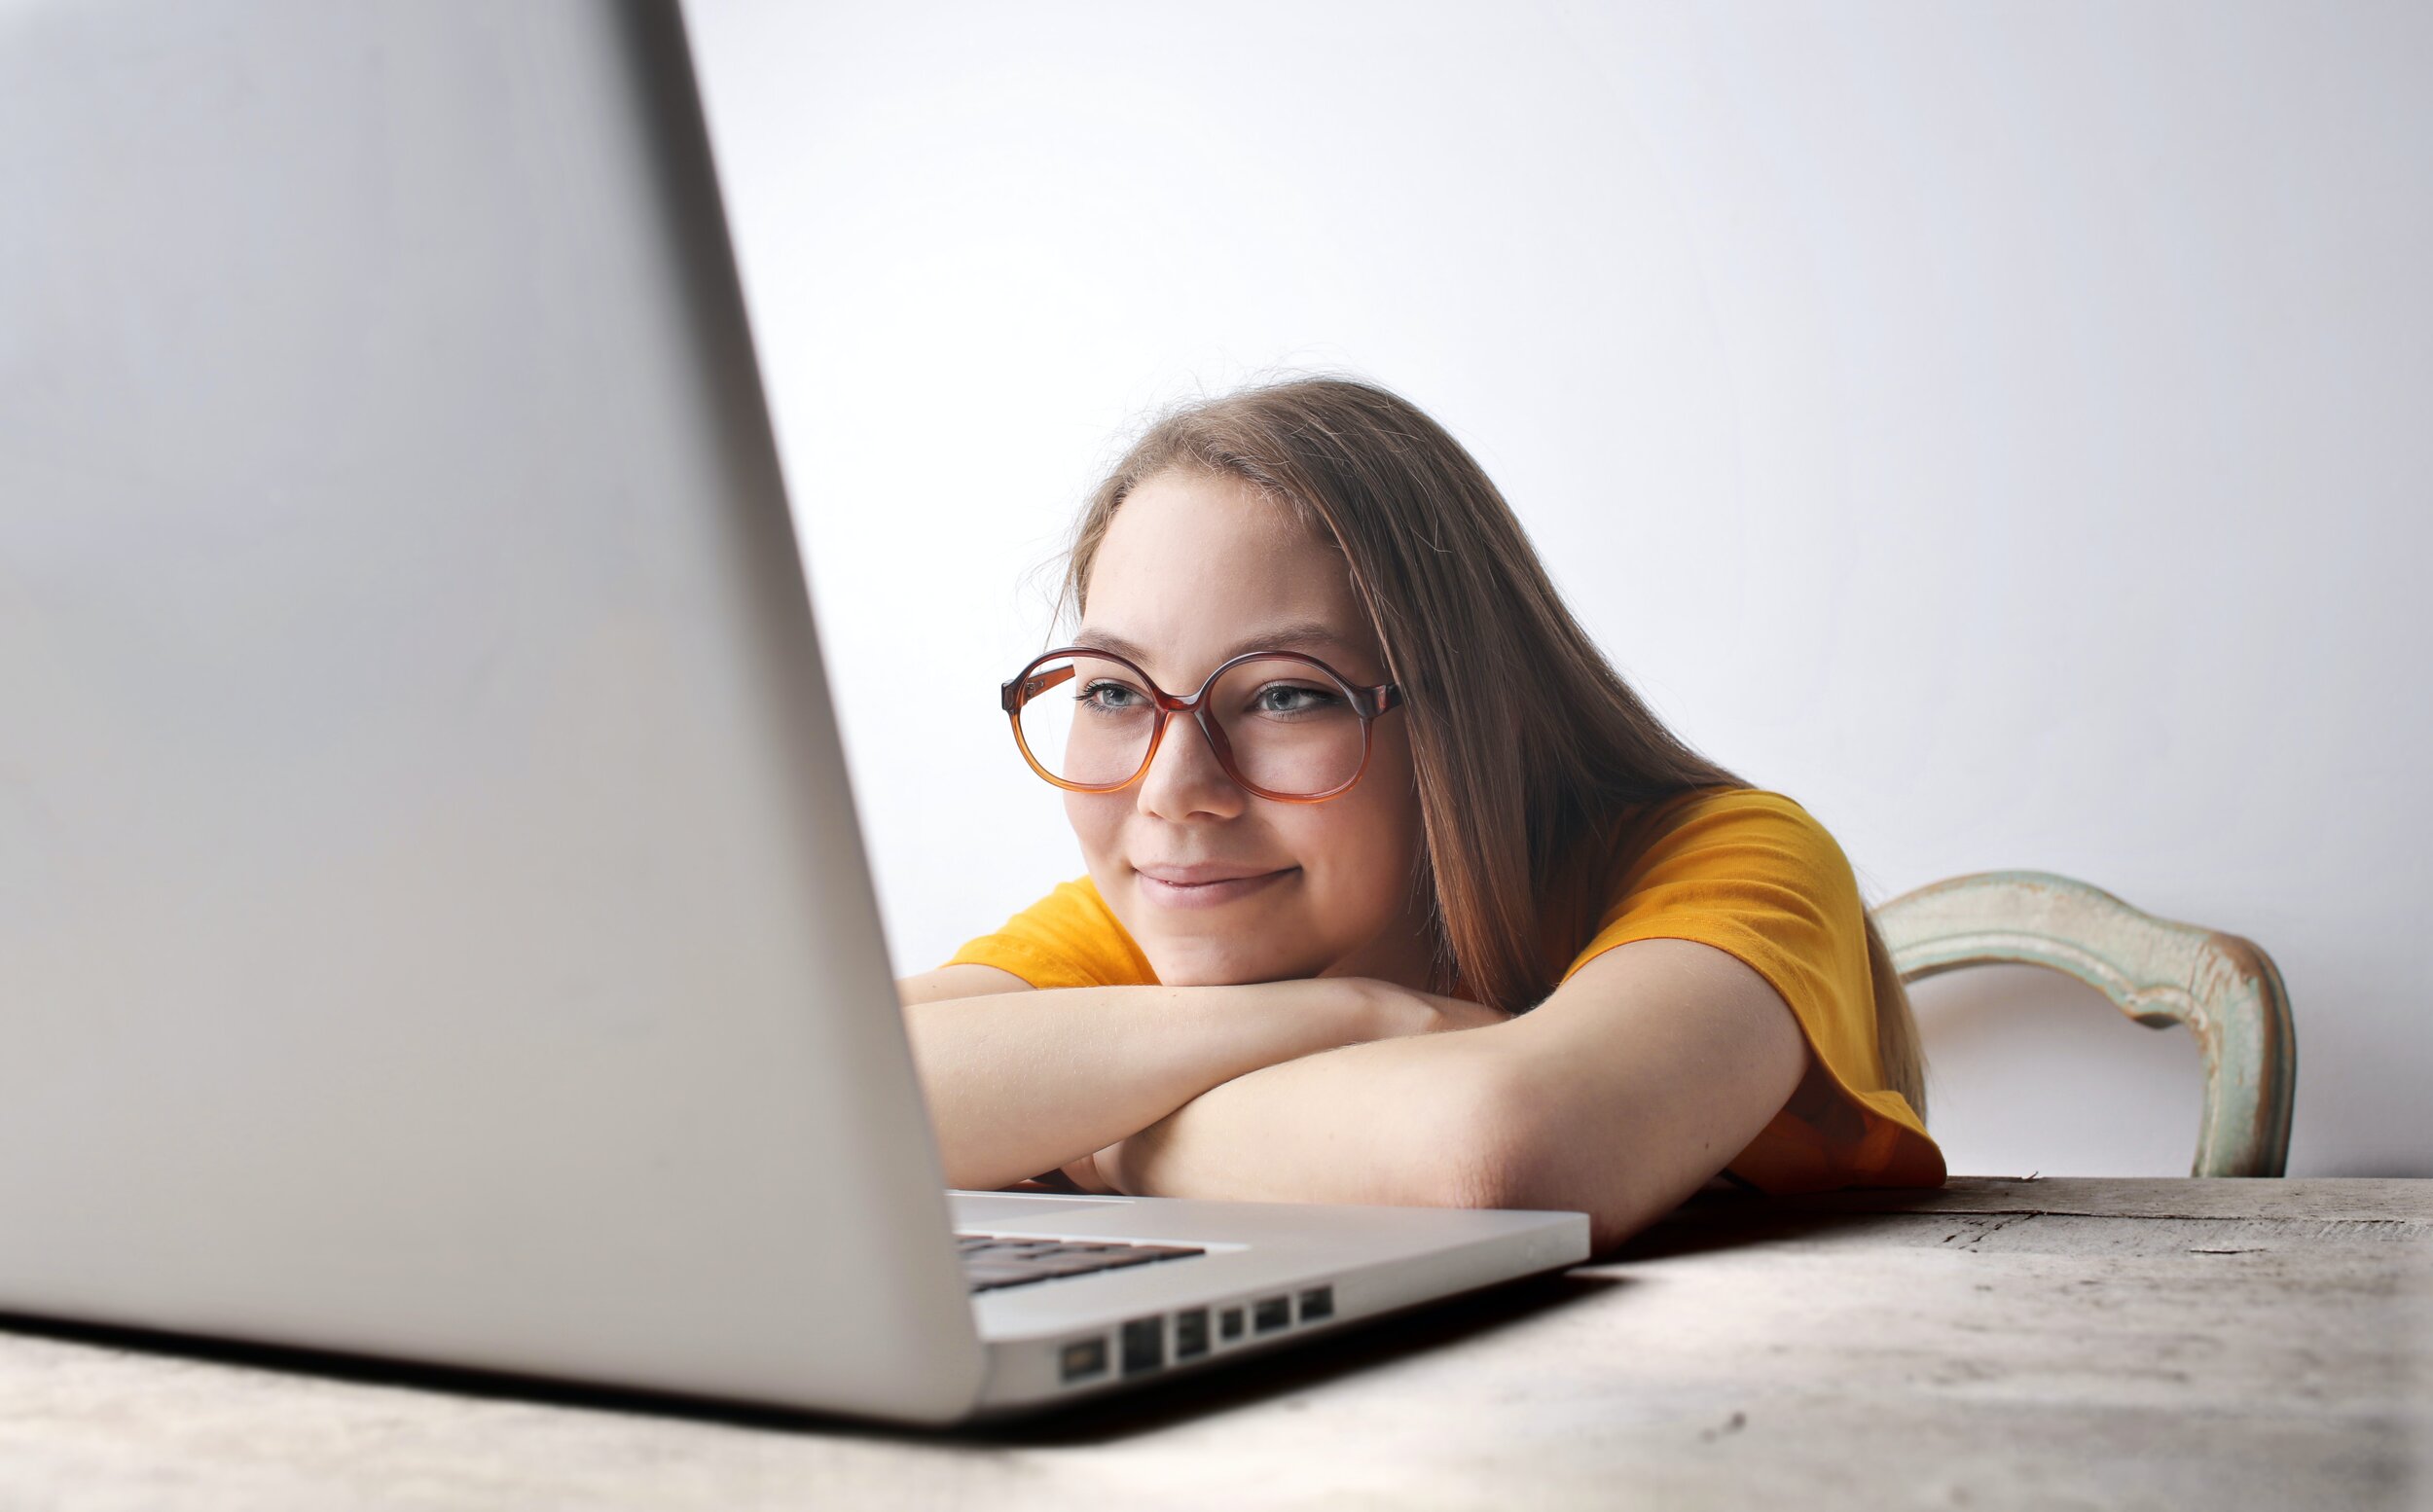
column 1283, row 726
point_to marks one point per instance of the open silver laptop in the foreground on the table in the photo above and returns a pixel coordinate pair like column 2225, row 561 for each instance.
column 432, row 913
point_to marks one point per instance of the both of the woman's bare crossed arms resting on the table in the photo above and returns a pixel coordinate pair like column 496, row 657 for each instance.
column 1617, row 1098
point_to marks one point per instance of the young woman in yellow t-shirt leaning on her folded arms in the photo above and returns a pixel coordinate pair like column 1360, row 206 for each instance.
column 1395, row 891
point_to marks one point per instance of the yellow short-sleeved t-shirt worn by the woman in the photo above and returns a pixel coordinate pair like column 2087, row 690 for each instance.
column 1738, row 869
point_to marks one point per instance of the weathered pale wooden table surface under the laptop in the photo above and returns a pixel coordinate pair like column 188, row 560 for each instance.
column 1987, row 1345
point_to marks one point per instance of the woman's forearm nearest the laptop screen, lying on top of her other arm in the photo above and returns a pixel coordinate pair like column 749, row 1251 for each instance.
column 1023, row 1083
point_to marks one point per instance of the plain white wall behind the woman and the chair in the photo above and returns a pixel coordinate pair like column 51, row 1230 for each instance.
column 1999, row 427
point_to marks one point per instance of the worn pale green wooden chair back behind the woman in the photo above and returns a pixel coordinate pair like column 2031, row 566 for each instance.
column 2157, row 971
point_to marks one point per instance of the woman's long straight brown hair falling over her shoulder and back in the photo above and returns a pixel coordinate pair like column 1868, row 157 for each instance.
column 1529, row 747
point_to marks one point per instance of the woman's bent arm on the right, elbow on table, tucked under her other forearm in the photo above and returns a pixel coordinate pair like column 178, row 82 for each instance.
column 1617, row 1098
